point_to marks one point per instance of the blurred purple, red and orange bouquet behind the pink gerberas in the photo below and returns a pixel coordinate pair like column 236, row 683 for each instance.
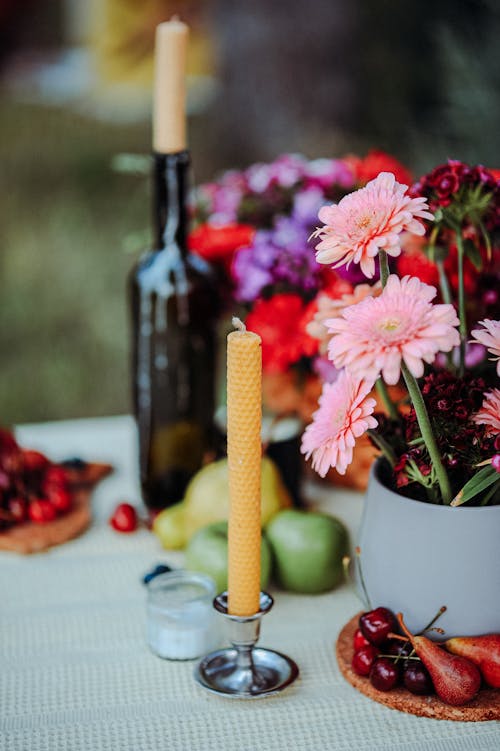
column 254, row 226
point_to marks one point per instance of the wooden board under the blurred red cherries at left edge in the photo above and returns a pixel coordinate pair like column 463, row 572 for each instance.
column 29, row 537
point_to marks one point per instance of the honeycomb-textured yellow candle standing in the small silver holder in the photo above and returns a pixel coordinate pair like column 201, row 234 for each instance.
column 244, row 450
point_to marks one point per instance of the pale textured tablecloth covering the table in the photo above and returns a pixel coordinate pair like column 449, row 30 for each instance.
column 76, row 673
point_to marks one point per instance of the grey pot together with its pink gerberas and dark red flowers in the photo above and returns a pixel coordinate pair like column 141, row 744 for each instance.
column 440, row 444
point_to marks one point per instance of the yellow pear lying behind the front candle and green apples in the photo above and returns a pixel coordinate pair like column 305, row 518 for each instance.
column 207, row 501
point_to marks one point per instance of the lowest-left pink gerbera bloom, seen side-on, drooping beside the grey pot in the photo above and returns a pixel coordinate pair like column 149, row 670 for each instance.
column 344, row 414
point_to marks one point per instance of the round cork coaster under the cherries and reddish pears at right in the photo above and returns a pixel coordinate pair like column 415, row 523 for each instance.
column 486, row 705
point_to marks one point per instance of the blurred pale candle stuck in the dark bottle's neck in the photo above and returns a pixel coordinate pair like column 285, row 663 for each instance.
column 169, row 104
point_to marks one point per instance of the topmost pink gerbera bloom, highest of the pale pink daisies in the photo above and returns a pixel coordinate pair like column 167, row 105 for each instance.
column 368, row 220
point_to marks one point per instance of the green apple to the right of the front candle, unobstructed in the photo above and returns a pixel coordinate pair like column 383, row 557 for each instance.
column 307, row 548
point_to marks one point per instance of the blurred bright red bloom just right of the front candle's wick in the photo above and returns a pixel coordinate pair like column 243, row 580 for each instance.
column 279, row 322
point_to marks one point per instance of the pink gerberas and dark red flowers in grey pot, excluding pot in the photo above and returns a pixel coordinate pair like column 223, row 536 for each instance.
column 442, row 442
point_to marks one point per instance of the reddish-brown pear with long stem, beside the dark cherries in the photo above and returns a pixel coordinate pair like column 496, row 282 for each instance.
column 456, row 679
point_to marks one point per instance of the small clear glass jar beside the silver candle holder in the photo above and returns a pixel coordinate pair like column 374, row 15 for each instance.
column 181, row 620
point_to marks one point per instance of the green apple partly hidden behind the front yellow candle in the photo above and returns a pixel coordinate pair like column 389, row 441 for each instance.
column 207, row 552
